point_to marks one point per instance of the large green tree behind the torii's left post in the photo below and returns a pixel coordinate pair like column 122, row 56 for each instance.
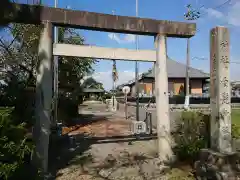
column 19, row 49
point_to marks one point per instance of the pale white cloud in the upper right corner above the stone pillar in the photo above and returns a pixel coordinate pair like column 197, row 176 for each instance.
column 231, row 17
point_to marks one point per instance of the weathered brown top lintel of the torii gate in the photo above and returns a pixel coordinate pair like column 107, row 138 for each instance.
column 34, row 14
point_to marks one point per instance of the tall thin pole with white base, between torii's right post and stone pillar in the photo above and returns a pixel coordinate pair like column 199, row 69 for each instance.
column 187, row 76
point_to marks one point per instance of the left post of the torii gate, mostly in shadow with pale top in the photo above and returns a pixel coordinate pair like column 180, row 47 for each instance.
column 44, row 92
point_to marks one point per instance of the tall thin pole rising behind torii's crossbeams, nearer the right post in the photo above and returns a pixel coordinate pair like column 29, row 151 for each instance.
column 136, row 73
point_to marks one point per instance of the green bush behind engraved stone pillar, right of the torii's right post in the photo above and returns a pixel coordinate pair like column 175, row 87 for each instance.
column 193, row 133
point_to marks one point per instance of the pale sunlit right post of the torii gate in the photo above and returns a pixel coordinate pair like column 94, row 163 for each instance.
column 162, row 100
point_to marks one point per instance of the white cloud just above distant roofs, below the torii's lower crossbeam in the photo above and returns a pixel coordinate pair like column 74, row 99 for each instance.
column 106, row 78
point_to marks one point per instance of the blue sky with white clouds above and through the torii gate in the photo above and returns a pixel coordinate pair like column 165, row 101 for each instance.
column 228, row 15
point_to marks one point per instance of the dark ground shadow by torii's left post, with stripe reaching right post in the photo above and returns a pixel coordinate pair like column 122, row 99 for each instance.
column 64, row 149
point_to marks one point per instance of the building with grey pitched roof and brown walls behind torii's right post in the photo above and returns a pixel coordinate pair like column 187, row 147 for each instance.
column 176, row 80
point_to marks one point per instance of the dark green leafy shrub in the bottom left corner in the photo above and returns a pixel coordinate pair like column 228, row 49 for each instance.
column 15, row 149
